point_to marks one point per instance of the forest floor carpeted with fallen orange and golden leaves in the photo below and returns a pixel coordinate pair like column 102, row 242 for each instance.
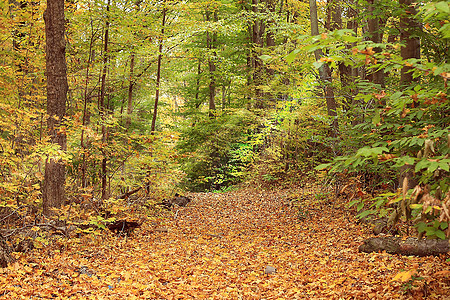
column 246, row 244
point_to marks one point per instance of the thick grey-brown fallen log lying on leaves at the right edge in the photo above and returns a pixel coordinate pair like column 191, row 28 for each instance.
column 410, row 246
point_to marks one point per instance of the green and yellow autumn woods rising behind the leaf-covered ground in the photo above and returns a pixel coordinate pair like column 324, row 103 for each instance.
column 121, row 103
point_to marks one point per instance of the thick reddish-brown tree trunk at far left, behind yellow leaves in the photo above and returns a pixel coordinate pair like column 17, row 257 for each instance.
column 56, row 70
